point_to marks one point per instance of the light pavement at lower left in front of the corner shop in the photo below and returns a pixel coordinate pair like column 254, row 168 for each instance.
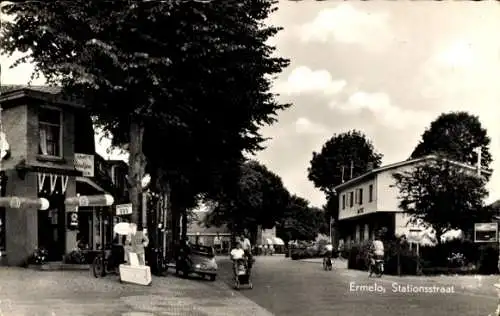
column 61, row 293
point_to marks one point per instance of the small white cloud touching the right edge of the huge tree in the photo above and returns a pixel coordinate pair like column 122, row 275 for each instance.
column 304, row 80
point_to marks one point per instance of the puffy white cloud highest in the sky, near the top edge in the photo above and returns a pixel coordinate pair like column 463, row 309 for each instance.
column 346, row 24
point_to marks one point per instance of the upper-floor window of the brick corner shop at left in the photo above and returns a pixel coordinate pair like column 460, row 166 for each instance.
column 50, row 130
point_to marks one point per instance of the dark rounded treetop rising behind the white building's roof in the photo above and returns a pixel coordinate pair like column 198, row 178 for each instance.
column 455, row 135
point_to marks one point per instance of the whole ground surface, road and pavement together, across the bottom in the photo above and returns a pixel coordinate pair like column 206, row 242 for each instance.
column 281, row 287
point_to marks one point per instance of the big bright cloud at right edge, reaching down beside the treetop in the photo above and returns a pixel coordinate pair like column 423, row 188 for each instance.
column 462, row 75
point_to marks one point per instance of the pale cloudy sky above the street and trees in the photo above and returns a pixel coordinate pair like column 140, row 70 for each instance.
column 386, row 68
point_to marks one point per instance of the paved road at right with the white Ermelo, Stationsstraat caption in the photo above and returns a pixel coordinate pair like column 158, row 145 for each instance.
column 286, row 287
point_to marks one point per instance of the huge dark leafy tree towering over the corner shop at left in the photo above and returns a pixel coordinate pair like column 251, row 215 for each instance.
column 198, row 68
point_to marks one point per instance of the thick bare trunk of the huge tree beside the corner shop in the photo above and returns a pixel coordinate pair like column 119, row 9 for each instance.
column 136, row 169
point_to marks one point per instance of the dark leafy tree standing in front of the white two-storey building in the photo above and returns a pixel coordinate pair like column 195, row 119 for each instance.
column 441, row 195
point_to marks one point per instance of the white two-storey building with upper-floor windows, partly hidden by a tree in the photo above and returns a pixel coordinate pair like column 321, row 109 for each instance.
column 370, row 202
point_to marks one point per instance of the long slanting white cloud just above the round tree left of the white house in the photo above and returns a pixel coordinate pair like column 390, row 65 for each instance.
column 380, row 105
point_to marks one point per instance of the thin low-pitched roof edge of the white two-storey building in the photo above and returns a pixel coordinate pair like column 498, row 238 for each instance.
column 404, row 163
